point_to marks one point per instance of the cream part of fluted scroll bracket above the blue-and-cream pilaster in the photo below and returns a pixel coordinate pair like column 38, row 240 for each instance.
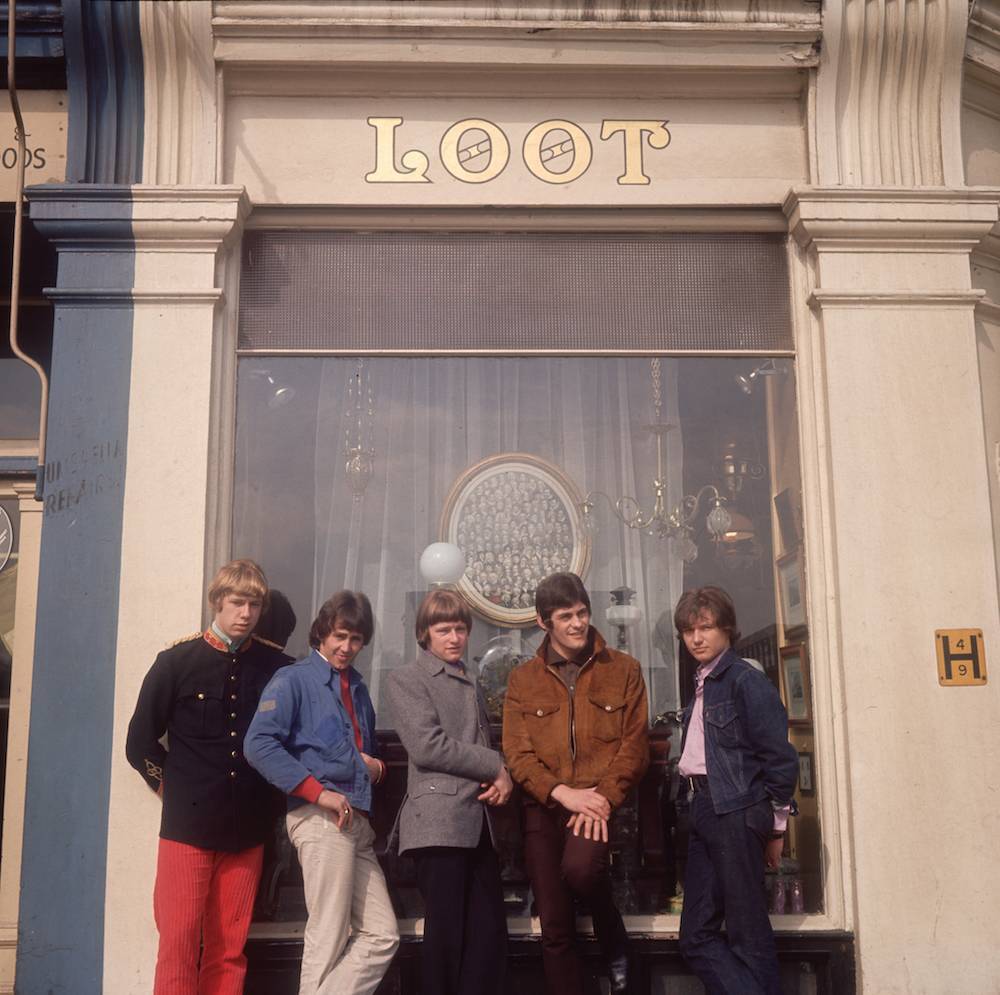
column 180, row 136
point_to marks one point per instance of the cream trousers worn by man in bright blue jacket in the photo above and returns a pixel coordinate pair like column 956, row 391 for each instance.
column 351, row 933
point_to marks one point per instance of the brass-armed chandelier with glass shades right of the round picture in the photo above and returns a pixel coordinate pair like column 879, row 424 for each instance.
column 680, row 522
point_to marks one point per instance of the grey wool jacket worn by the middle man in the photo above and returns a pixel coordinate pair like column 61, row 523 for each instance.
column 441, row 720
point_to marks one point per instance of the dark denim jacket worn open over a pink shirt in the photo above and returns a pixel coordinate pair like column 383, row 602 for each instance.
column 747, row 753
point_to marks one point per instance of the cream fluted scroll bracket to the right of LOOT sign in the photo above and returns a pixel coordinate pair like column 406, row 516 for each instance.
column 888, row 106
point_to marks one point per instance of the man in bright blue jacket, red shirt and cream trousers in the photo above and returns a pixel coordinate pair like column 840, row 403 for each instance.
column 314, row 738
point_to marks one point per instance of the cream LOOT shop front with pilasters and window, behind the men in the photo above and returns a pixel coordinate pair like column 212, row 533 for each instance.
column 663, row 295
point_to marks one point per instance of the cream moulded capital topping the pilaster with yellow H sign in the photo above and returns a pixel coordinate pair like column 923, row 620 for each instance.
column 891, row 219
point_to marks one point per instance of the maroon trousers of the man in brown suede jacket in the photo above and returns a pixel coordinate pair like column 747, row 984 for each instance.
column 563, row 867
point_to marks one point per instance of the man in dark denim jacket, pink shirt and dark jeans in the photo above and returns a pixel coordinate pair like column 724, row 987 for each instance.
column 741, row 770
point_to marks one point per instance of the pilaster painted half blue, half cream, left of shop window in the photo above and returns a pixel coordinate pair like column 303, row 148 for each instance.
column 141, row 404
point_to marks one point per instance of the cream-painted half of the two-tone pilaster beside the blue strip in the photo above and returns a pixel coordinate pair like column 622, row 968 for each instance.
column 166, row 528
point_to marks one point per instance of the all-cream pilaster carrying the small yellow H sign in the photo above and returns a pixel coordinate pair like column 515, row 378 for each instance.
column 901, row 546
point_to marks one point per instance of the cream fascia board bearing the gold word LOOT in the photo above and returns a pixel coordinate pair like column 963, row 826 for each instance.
column 524, row 151
